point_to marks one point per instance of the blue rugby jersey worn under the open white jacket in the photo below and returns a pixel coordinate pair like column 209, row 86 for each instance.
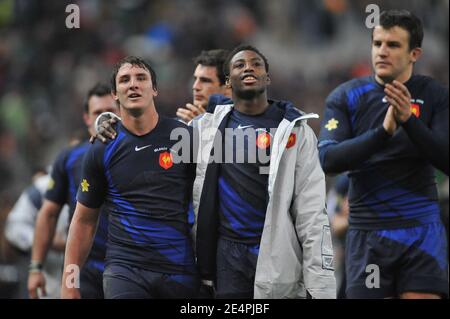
column 242, row 188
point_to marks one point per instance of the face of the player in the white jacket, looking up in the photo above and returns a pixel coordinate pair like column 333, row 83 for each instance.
column 248, row 75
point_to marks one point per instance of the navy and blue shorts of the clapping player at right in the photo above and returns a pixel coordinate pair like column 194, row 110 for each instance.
column 387, row 263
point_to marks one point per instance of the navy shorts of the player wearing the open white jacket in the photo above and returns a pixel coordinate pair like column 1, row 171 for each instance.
column 236, row 268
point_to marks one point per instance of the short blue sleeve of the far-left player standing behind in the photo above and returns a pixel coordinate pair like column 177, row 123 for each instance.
column 57, row 189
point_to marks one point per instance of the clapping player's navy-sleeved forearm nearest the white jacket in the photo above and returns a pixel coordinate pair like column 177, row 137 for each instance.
column 350, row 154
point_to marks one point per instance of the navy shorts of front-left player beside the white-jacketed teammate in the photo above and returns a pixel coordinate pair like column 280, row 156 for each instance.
column 121, row 281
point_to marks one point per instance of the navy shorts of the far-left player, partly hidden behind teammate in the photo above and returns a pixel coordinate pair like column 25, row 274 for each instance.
column 91, row 280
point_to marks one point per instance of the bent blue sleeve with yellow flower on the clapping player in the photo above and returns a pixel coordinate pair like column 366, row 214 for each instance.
column 339, row 150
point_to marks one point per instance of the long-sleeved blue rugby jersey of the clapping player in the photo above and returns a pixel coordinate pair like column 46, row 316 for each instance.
column 392, row 183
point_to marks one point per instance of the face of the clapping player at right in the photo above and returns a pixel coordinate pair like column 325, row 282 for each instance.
column 392, row 58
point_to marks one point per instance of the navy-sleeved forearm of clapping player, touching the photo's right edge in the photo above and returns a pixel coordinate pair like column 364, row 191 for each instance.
column 433, row 146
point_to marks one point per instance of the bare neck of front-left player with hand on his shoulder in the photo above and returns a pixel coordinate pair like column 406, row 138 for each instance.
column 140, row 124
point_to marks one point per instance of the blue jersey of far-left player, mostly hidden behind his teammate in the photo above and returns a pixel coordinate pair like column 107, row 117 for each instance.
column 62, row 189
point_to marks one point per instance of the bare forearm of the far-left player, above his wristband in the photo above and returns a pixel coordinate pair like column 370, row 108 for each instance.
column 43, row 235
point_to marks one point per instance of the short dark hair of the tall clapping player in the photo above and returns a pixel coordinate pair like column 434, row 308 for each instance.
column 407, row 21
